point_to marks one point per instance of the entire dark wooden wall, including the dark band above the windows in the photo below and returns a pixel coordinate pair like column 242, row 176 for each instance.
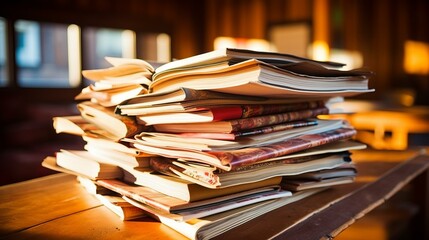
column 378, row 29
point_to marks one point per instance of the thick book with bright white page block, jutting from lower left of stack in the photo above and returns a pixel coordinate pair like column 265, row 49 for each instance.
column 87, row 164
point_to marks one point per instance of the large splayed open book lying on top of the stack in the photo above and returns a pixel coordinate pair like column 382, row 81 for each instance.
column 254, row 73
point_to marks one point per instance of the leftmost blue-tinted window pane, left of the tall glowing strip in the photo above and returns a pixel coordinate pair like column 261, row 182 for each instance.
column 41, row 54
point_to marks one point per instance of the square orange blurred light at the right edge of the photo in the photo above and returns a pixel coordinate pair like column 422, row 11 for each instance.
column 416, row 57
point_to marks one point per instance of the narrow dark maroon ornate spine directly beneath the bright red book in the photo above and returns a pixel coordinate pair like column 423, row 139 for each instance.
column 267, row 120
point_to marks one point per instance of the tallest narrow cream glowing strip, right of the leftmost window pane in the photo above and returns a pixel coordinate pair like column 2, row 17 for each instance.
column 73, row 45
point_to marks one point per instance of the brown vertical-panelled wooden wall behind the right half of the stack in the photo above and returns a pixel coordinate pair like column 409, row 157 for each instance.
column 377, row 29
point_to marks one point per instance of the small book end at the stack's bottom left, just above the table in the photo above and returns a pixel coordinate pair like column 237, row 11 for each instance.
column 125, row 210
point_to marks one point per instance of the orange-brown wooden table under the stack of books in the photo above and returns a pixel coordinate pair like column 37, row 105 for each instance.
column 57, row 207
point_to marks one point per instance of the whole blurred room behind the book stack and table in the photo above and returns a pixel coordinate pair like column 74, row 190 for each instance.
column 45, row 44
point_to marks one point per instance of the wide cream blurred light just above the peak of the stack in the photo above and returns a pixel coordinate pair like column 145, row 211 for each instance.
column 247, row 43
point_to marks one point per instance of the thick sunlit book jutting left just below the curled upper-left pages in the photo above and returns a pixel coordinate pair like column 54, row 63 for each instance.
column 105, row 118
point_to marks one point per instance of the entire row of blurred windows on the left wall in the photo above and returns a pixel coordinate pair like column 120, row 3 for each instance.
column 52, row 55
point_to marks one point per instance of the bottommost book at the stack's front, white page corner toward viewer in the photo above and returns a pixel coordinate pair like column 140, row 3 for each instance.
column 214, row 225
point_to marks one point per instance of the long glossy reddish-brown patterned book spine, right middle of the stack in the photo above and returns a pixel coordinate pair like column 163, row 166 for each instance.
column 248, row 156
